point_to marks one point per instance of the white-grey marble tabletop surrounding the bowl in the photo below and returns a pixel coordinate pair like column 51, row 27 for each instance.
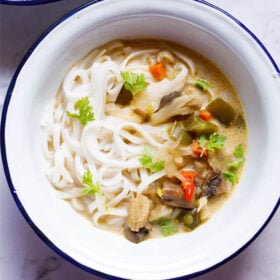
column 22, row 254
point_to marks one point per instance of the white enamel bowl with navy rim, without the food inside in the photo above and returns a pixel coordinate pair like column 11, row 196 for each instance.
column 196, row 24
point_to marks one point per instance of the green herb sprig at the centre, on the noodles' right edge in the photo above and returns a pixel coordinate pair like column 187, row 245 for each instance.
column 148, row 160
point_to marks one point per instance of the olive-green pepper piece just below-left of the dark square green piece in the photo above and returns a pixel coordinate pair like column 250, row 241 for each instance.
column 197, row 126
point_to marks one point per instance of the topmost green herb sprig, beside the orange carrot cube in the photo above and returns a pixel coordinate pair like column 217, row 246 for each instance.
column 134, row 82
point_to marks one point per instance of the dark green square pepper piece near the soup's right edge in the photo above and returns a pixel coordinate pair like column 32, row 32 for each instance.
column 222, row 110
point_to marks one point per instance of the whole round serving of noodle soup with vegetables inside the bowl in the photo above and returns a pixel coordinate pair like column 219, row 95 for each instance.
column 145, row 138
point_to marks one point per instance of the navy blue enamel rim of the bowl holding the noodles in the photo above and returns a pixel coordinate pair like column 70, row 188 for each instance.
column 5, row 160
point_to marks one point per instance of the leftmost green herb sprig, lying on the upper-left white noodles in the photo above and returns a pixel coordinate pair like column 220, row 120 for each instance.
column 85, row 111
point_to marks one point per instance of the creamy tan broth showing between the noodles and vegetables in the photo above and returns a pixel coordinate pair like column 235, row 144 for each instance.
column 220, row 86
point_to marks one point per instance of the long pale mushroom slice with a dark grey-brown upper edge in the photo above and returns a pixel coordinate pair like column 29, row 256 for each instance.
column 175, row 104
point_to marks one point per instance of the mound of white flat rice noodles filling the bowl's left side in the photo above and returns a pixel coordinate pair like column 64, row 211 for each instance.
column 109, row 147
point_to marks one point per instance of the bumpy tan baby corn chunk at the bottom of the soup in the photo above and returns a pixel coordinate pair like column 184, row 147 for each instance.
column 138, row 212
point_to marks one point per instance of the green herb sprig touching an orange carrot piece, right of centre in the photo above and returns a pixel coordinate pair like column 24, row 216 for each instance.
column 214, row 142
